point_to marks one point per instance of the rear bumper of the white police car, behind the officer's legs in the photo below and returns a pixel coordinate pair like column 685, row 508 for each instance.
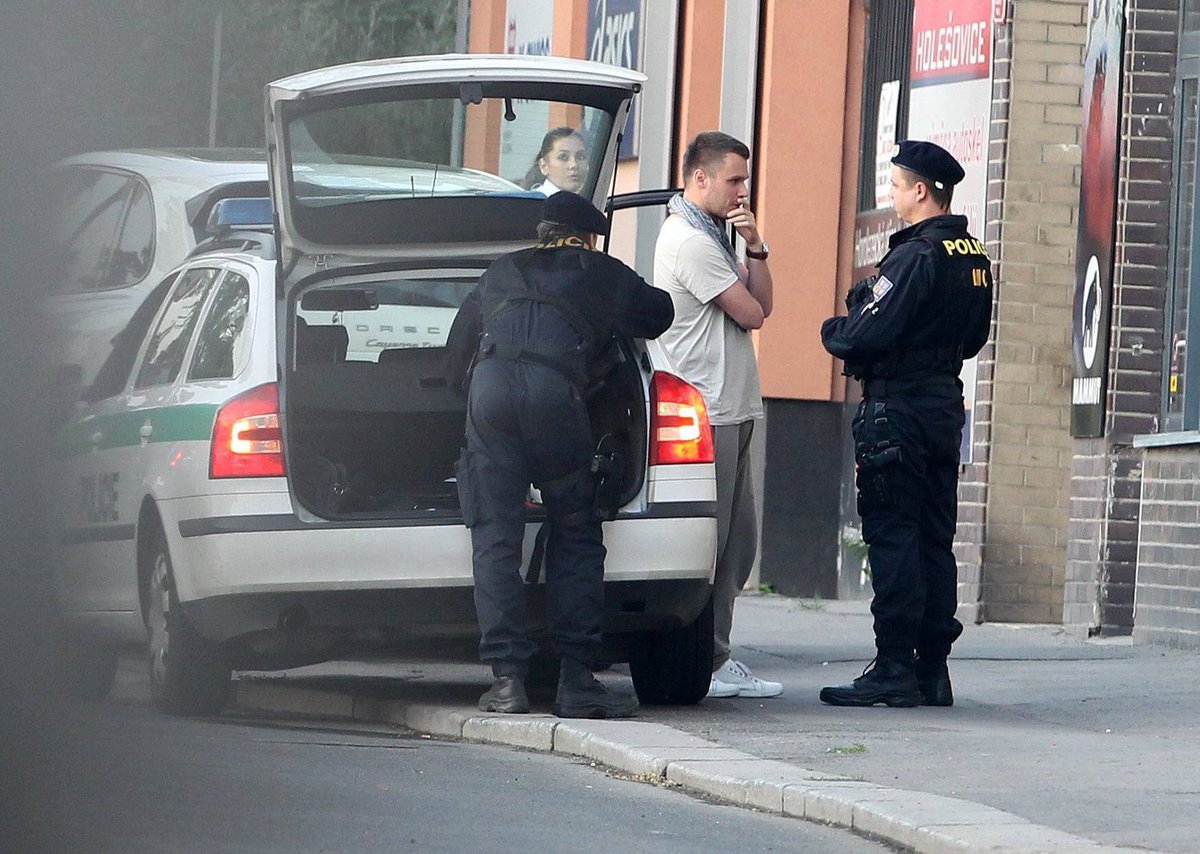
column 268, row 573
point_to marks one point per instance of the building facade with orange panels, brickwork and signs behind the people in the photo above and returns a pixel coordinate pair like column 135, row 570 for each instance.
column 1077, row 122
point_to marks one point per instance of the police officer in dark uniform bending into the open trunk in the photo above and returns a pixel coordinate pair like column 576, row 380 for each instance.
column 543, row 320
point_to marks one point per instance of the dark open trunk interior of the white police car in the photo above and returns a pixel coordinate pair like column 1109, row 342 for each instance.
column 374, row 424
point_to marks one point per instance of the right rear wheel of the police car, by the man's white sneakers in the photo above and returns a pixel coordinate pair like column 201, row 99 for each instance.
column 674, row 669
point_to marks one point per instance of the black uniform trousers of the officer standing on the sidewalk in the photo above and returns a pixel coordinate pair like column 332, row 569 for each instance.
column 909, row 507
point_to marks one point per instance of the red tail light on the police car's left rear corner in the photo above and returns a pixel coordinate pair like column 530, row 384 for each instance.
column 247, row 438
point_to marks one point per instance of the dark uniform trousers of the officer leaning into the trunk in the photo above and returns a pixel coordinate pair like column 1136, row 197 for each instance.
column 526, row 425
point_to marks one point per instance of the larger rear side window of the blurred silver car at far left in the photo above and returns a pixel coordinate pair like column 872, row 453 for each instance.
column 93, row 212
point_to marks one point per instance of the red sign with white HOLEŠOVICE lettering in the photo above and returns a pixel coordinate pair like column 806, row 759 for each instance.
column 951, row 41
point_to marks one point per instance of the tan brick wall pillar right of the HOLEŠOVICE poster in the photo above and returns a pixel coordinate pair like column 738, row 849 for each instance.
column 1029, row 483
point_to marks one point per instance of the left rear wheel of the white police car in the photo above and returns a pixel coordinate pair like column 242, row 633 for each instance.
column 189, row 675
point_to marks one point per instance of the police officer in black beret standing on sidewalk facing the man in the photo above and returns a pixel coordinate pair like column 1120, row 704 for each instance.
column 908, row 333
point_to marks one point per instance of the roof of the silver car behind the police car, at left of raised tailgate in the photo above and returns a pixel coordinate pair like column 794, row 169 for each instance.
column 201, row 165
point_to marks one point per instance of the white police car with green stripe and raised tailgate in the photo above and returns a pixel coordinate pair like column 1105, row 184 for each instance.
column 262, row 473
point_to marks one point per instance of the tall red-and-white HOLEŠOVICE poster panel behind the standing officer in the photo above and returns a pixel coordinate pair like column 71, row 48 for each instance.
column 951, row 105
